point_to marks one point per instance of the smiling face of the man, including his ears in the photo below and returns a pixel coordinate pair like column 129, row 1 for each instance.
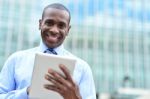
column 54, row 27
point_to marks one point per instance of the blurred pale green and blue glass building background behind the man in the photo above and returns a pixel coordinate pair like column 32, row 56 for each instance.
column 113, row 36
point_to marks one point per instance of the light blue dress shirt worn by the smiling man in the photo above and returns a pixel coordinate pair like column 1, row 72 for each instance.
column 16, row 74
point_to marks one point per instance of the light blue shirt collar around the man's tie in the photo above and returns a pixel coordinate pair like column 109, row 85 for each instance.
column 43, row 47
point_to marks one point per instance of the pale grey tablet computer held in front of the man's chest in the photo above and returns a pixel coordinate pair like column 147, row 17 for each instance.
column 42, row 62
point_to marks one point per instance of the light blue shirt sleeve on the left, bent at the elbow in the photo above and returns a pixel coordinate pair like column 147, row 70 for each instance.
column 8, row 84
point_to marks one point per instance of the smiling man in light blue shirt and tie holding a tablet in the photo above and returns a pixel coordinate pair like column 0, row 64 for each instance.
column 15, row 77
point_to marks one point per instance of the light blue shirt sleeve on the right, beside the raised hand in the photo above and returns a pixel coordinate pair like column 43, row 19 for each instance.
column 87, row 86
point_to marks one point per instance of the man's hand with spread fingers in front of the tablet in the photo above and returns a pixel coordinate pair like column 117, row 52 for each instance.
column 65, row 86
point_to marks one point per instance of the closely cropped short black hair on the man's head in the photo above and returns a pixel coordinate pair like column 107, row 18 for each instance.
column 57, row 6
